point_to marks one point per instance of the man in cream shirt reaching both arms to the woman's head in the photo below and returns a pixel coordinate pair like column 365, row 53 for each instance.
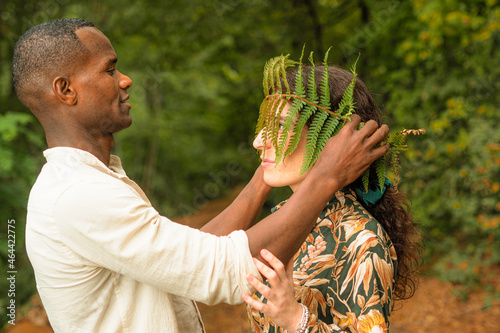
column 104, row 259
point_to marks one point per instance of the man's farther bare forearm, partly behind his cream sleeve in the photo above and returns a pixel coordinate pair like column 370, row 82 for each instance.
column 243, row 211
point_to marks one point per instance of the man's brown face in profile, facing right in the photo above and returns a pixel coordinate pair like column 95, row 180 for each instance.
column 101, row 89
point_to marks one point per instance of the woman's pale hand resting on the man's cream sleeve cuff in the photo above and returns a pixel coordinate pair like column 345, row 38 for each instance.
column 281, row 305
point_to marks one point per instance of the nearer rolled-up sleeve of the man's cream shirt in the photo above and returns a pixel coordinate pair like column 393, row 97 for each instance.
column 111, row 226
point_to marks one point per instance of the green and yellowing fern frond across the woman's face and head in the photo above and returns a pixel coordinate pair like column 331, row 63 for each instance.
column 325, row 123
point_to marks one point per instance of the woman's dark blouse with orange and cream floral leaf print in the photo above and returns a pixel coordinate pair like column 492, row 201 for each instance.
column 344, row 272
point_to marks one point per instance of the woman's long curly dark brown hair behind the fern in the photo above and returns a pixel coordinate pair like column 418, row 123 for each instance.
column 393, row 210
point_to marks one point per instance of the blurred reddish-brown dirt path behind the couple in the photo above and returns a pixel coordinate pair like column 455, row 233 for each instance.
column 434, row 308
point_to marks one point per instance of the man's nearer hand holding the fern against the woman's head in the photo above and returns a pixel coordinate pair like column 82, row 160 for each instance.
column 350, row 152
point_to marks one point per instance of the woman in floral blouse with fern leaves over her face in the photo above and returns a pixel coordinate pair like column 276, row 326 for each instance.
column 361, row 255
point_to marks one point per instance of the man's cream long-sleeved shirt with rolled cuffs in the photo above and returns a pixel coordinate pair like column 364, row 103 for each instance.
column 106, row 261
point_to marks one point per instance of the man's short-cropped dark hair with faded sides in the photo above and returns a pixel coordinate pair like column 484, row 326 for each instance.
column 44, row 48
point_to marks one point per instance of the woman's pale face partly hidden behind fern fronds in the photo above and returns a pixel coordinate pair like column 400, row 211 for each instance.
column 286, row 172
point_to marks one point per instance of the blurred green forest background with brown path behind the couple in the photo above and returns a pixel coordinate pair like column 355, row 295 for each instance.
column 196, row 68
